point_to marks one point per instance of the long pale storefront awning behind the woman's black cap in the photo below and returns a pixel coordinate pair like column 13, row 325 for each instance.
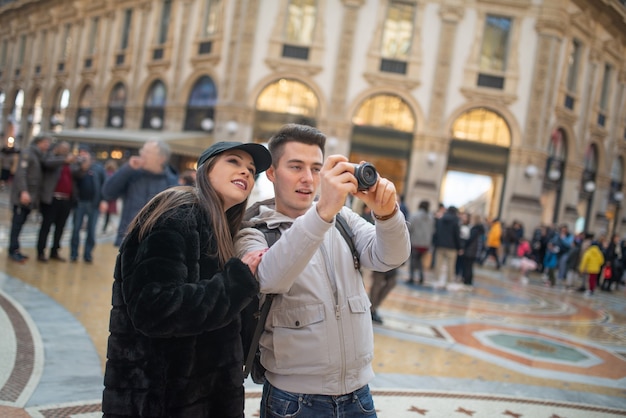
column 190, row 144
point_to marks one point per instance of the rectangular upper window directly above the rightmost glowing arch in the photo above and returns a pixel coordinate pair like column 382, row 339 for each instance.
column 493, row 54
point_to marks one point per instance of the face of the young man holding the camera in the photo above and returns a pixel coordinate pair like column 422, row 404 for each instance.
column 296, row 178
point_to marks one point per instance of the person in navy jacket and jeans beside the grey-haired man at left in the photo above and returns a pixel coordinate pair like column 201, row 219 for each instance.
column 89, row 177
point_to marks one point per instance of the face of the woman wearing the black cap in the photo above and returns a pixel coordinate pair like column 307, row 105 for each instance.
column 232, row 176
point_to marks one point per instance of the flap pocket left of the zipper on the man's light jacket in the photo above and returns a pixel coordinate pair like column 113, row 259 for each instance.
column 300, row 337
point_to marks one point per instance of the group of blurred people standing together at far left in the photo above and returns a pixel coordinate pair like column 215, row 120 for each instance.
column 58, row 182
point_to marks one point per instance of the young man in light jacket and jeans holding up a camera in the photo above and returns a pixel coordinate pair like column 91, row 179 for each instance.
column 318, row 339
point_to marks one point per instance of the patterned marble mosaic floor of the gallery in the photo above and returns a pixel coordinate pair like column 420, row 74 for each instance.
column 504, row 349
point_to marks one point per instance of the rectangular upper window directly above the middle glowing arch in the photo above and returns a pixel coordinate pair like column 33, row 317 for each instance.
column 398, row 31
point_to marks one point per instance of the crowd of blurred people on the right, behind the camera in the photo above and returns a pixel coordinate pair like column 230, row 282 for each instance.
column 456, row 241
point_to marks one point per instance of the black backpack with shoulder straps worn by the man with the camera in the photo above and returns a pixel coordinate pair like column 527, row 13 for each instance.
column 253, row 318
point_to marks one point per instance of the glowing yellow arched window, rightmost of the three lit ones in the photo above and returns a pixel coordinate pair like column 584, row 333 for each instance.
column 482, row 125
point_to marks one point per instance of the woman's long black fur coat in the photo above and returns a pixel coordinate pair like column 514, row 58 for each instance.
column 174, row 347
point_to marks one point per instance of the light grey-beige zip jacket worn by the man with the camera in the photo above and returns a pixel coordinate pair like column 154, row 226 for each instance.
column 318, row 336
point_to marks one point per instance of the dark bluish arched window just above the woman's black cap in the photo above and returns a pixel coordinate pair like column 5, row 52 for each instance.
column 200, row 114
